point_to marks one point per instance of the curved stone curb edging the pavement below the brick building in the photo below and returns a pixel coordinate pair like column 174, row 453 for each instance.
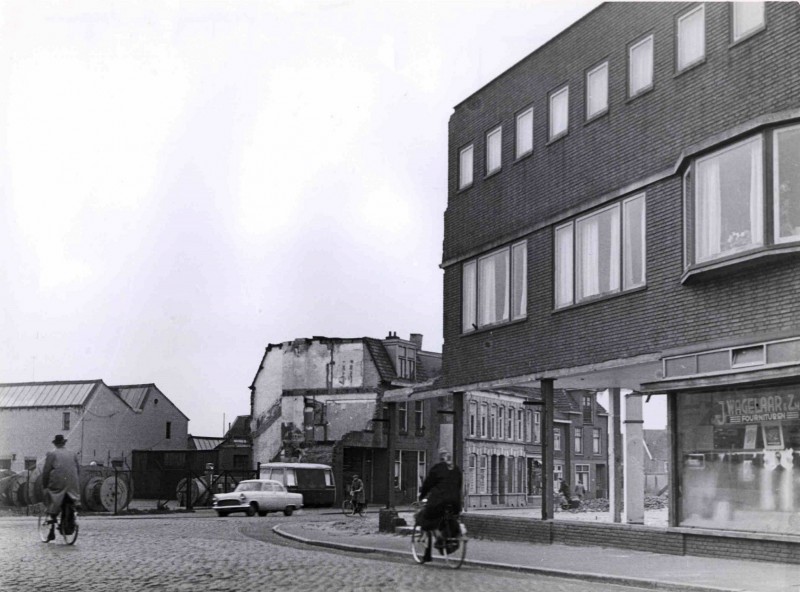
column 558, row 573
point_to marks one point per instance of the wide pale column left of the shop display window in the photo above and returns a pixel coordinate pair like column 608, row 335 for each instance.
column 634, row 459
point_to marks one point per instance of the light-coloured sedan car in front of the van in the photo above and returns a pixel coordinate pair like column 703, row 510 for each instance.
column 257, row 496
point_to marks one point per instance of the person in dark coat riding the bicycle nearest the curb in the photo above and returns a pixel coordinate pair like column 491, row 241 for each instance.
column 442, row 488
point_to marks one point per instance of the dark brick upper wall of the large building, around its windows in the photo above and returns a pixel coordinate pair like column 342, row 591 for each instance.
column 638, row 138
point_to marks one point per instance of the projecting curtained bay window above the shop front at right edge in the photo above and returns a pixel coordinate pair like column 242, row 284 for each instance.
column 729, row 191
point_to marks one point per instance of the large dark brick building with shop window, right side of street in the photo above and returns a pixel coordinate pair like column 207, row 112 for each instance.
column 624, row 213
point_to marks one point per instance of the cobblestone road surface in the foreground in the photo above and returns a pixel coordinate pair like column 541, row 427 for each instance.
column 201, row 552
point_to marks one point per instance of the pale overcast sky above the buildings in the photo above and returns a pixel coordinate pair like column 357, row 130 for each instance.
column 184, row 183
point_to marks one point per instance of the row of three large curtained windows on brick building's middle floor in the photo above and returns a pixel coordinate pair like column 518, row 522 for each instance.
column 737, row 200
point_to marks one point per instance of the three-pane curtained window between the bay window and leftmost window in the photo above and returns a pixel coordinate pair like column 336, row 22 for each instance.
column 601, row 253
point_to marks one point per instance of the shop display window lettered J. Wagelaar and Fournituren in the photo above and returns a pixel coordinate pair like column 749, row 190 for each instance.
column 739, row 459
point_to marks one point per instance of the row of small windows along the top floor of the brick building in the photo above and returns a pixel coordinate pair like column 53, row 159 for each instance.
column 747, row 18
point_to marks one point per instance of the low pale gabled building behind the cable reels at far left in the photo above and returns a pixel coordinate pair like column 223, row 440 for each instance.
column 102, row 423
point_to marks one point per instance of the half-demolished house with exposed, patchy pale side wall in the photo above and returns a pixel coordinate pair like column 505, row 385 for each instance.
column 321, row 400
